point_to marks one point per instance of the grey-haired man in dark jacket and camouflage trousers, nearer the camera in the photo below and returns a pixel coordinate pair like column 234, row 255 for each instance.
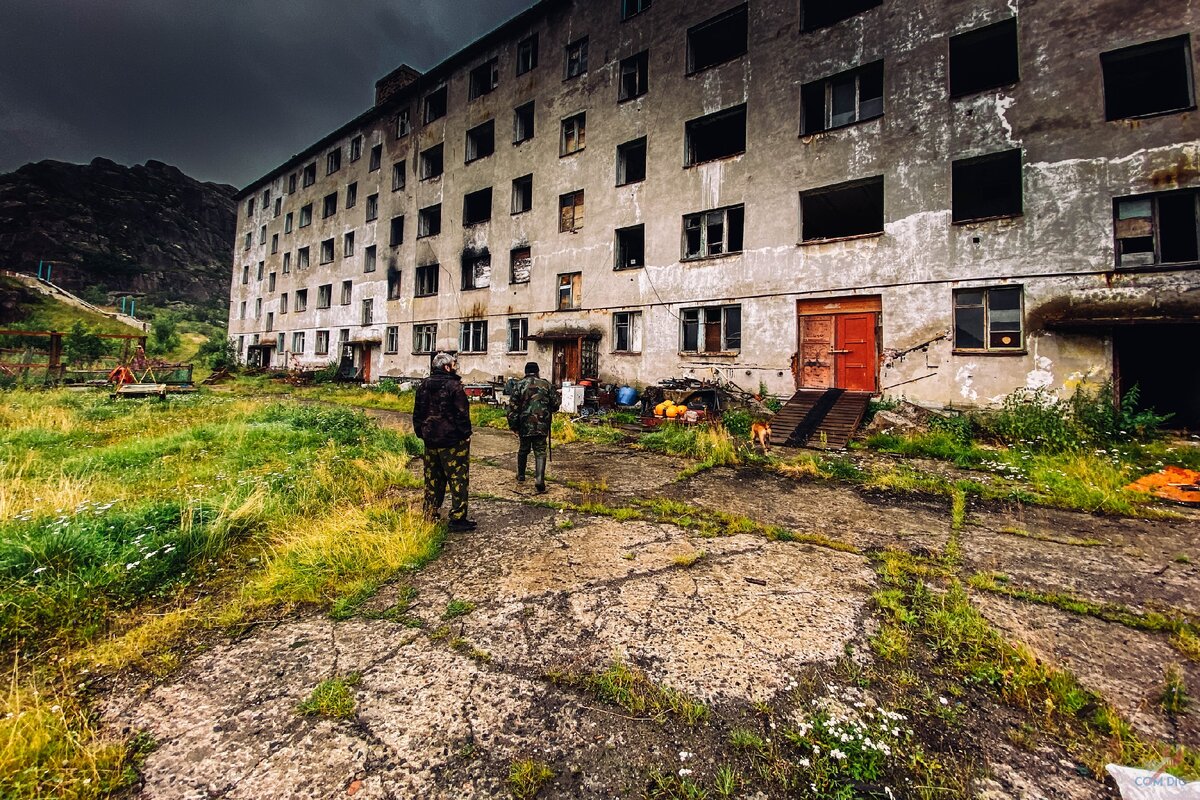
column 442, row 419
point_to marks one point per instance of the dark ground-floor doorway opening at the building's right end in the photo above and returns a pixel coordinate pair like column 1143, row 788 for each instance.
column 1148, row 357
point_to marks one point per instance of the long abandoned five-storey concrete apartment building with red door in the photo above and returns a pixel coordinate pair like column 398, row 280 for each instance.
column 945, row 201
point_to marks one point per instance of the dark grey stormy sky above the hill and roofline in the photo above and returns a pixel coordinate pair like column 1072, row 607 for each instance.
column 223, row 89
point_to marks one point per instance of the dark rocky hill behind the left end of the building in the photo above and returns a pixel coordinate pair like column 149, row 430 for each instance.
column 148, row 231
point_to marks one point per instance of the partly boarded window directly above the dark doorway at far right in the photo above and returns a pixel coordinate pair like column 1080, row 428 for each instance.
column 1157, row 228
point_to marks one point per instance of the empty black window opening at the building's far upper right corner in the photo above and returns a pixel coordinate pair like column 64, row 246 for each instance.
column 1148, row 80
